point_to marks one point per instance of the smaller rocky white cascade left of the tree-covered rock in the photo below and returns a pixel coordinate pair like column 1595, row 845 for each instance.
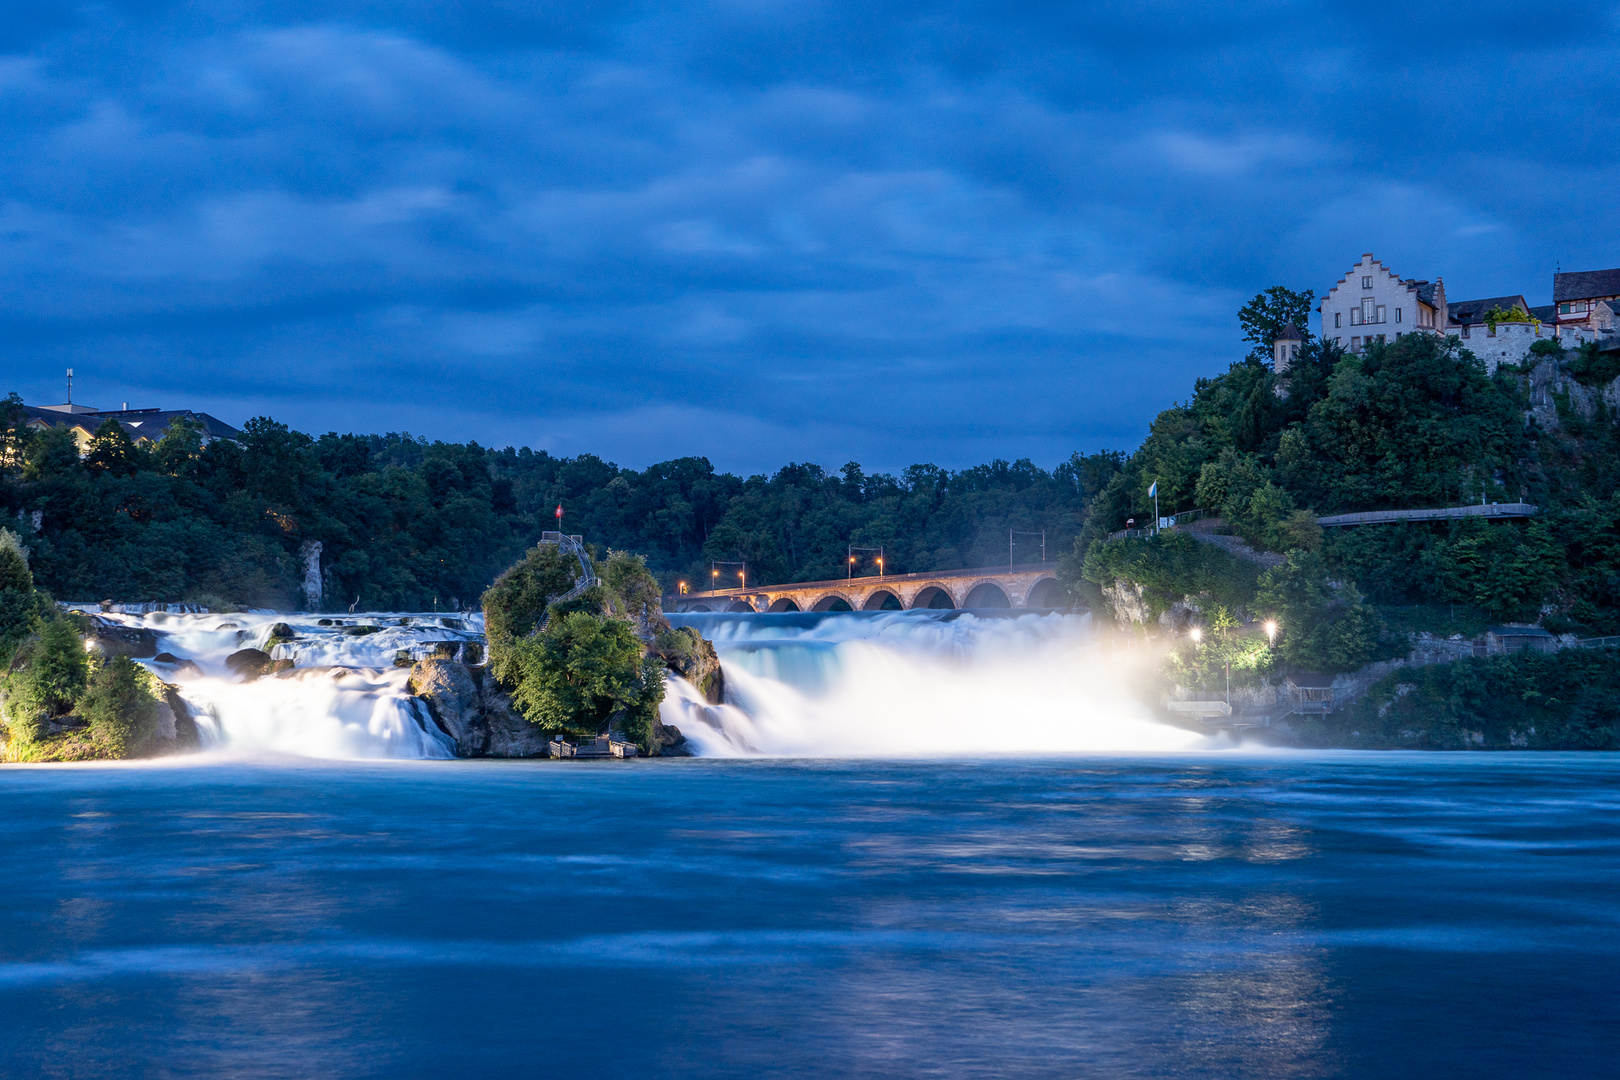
column 344, row 699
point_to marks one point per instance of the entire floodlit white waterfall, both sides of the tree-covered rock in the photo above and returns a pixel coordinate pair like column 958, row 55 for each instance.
column 864, row 684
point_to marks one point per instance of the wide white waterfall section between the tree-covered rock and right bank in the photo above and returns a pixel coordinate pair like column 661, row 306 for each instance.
column 916, row 684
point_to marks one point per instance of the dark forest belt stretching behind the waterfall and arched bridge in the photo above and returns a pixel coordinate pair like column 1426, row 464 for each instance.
column 409, row 524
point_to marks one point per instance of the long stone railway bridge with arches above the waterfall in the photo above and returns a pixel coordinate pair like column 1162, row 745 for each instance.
column 1031, row 585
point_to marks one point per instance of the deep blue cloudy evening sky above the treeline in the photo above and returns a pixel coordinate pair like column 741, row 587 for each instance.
column 759, row 232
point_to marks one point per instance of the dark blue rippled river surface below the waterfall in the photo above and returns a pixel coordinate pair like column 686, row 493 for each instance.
column 1217, row 916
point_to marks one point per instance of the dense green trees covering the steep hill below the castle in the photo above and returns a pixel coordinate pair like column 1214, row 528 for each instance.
column 1412, row 423
